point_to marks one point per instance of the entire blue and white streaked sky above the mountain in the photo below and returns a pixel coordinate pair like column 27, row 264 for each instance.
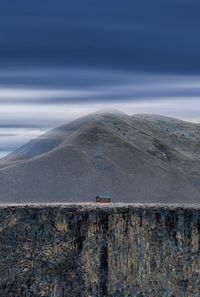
column 63, row 59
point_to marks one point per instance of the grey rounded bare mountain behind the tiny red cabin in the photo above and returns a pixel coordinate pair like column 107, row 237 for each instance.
column 140, row 158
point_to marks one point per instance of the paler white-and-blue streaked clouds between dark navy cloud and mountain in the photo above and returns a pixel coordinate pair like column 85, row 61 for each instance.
column 29, row 108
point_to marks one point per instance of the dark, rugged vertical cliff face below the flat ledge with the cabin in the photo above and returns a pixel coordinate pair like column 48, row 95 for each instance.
column 99, row 251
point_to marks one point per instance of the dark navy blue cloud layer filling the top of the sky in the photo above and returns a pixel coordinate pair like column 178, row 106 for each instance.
column 137, row 35
